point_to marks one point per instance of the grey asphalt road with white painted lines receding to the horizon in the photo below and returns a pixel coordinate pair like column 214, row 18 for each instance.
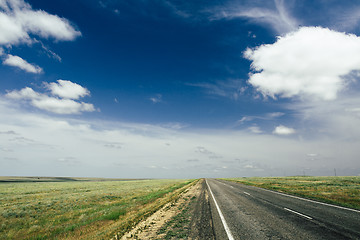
column 254, row 213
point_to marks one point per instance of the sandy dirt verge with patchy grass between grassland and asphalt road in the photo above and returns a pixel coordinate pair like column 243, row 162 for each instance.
column 189, row 217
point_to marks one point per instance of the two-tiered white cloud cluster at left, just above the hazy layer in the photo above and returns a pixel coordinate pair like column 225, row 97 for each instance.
column 52, row 103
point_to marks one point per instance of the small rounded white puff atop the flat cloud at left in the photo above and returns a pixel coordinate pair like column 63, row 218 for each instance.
column 67, row 89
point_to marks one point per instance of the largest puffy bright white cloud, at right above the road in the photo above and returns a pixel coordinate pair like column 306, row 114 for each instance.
column 311, row 62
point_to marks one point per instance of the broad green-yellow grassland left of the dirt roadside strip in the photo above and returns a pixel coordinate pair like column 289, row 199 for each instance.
column 80, row 209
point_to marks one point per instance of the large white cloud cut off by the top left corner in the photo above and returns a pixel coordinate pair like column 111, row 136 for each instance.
column 18, row 21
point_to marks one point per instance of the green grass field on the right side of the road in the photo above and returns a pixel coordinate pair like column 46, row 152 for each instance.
column 343, row 191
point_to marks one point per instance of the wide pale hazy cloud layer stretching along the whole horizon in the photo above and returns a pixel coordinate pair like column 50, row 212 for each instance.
column 142, row 145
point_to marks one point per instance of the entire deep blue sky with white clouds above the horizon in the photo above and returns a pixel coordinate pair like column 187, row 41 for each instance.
column 179, row 89
